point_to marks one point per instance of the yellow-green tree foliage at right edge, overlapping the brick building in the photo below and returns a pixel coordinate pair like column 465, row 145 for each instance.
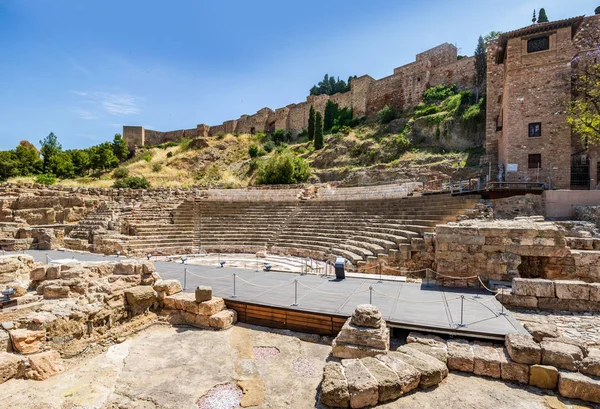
column 584, row 109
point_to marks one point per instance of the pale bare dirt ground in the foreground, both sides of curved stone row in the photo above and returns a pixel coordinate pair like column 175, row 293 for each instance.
column 166, row 367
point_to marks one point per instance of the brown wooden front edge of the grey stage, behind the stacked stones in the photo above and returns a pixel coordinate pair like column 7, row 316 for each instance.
column 311, row 322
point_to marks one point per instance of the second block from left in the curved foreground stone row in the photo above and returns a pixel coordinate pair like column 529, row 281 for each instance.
column 362, row 386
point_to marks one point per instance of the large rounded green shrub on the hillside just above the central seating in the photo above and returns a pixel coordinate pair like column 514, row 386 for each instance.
column 284, row 168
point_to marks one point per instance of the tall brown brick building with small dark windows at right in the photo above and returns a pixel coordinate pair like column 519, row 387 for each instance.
column 528, row 138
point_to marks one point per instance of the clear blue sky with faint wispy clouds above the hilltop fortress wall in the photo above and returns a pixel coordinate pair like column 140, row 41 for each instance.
column 83, row 69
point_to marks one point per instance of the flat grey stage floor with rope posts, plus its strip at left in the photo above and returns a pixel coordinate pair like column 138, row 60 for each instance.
column 402, row 304
